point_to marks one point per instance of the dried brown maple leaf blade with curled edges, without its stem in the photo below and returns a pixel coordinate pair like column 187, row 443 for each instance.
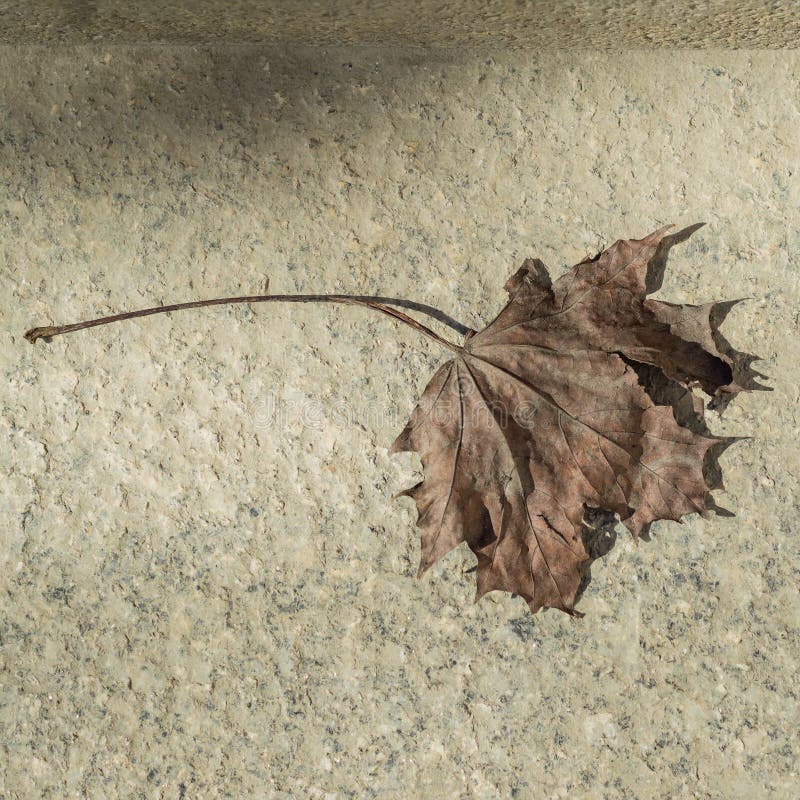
column 543, row 414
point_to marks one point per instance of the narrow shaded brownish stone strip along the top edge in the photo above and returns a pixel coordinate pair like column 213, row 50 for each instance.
column 531, row 24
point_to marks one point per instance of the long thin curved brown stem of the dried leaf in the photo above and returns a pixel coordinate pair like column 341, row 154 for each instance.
column 48, row 332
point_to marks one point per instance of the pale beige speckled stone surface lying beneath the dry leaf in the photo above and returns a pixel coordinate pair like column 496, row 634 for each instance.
column 207, row 591
